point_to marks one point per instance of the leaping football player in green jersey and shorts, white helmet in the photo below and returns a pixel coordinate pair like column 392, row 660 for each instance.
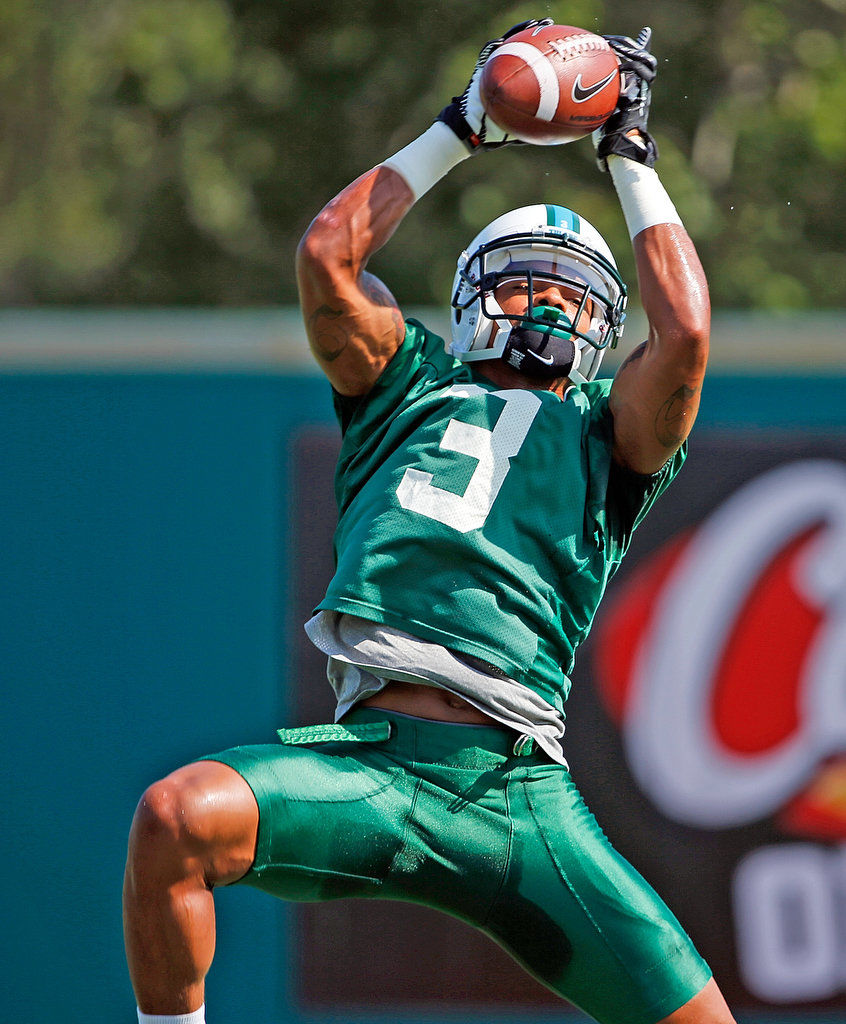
column 487, row 492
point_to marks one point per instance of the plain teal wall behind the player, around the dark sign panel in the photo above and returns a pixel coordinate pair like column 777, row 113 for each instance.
column 146, row 522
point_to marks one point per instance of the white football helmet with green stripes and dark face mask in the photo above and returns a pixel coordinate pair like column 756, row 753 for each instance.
column 551, row 243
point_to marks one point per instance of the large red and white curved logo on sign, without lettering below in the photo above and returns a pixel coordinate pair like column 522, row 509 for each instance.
column 731, row 677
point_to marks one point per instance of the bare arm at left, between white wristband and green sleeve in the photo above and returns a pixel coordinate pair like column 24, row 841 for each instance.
column 353, row 322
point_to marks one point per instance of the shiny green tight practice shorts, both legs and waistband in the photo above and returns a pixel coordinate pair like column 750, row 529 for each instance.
column 449, row 817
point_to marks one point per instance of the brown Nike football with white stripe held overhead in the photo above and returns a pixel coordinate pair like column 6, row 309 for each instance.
column 552, row 84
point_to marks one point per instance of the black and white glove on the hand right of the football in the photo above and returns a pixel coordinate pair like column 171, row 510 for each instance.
column 625, row 133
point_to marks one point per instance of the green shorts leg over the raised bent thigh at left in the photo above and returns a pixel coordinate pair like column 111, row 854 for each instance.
column 332, row 818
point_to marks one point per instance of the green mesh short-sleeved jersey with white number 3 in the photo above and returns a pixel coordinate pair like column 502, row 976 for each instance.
column 486, row 521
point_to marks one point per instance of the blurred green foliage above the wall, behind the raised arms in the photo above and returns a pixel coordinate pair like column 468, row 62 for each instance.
column 160, row 152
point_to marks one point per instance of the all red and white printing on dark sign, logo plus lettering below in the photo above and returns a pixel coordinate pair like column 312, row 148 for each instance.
column 724, row 661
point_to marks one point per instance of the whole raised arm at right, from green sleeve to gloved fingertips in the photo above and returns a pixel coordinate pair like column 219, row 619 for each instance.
column 656, row 394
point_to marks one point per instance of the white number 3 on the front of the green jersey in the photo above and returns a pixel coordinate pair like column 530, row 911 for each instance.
column 493, row 449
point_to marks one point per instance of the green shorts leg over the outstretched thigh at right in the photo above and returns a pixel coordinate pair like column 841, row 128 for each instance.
column 583, row 920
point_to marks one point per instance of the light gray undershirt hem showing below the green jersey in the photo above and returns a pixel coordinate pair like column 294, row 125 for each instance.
column 365, row 657
